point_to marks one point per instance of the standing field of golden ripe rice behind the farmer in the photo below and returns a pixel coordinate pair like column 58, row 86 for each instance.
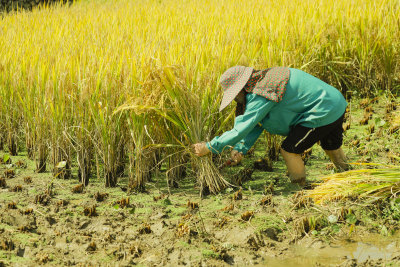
column 114, row 86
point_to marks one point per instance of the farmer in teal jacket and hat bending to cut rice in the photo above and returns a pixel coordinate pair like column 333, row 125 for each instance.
column 283, row 101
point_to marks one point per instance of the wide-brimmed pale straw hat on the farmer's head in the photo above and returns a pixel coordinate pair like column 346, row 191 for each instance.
column 232, row 81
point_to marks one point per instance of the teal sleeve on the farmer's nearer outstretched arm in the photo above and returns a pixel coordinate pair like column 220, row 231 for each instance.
column 257, row 107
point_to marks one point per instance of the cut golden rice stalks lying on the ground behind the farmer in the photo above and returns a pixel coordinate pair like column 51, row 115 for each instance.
column 366, row 184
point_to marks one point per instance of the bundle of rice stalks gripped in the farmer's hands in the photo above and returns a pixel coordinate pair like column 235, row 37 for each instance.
column 193, row 116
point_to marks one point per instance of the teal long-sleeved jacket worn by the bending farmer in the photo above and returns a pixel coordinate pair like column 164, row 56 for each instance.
column 307, row 101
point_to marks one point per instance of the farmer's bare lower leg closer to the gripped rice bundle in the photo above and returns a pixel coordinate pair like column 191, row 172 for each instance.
column 295, row 166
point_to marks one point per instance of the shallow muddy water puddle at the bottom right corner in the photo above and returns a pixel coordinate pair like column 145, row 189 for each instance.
column 371, row 250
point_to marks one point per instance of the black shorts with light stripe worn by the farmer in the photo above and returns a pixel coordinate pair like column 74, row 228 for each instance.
column 301, row 138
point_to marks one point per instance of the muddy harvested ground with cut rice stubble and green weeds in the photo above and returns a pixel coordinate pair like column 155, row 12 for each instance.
column 43, row 222
